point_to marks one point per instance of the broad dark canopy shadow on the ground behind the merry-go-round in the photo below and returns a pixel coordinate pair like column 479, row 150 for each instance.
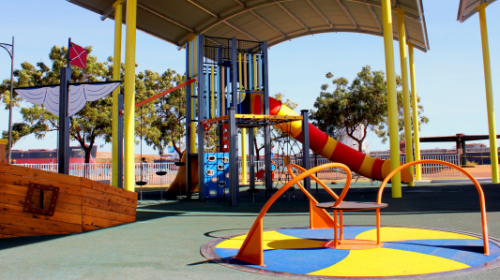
column 422, row 199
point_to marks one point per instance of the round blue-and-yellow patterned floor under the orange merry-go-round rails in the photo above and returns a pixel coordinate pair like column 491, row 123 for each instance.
column 406, row 253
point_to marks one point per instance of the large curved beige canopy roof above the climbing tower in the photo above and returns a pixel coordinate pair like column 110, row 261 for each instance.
column 273, row 21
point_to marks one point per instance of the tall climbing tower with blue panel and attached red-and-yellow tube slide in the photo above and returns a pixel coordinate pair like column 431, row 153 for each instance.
column 231, row 93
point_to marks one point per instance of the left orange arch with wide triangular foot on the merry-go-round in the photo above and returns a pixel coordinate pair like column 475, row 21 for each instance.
column 252, row 249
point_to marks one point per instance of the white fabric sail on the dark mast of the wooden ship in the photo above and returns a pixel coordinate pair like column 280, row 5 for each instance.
column 78, row 96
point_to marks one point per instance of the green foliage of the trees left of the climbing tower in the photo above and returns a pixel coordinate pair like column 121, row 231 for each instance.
column 160, row 119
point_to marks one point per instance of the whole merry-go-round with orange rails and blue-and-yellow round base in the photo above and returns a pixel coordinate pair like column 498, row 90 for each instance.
column 362, row 253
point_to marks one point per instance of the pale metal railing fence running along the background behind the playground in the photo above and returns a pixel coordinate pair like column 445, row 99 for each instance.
column 148, row 171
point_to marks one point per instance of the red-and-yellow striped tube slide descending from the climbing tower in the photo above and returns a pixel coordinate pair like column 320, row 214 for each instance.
column 328, row 147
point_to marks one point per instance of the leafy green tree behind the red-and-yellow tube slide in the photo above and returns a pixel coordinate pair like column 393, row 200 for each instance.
column 358, row 107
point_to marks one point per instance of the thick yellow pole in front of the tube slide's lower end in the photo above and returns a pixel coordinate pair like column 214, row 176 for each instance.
column 391, row 96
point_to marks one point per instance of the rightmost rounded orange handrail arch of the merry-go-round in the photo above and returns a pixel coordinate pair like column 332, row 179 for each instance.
column 476, row 183
